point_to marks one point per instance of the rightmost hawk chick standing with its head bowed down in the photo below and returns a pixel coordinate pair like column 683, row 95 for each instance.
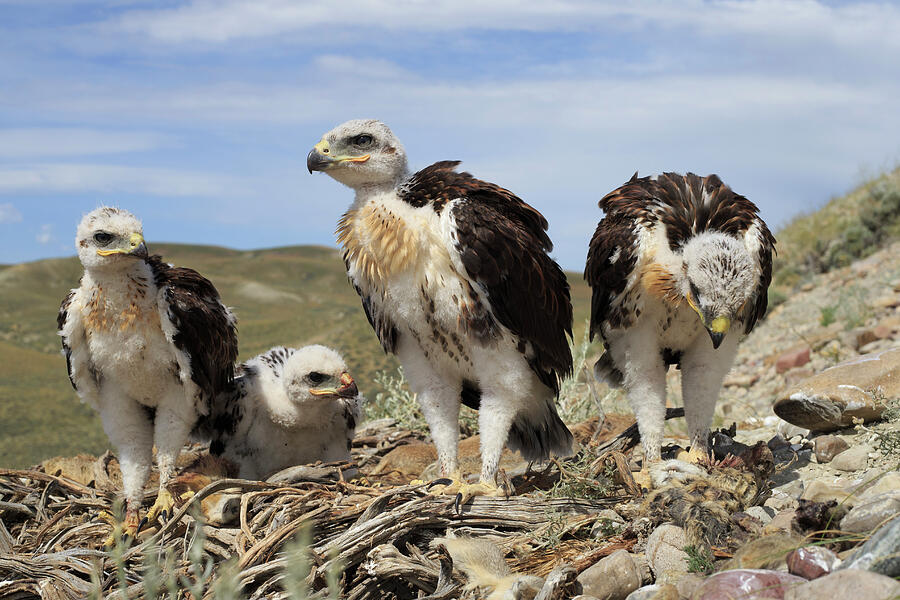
column 679, row 267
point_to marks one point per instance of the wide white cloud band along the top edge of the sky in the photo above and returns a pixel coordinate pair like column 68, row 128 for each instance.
column 874, row 24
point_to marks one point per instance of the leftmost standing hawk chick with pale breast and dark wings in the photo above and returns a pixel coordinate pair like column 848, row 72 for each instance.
column 148, row 345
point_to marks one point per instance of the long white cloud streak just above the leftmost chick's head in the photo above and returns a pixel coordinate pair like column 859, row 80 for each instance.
column 113, row 178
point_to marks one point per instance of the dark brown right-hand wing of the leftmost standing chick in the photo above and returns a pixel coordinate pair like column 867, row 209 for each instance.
column 205, row 328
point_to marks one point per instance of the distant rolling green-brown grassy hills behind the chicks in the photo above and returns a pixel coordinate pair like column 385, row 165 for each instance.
column 290, row 296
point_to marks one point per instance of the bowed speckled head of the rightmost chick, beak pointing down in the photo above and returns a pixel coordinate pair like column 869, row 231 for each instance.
column 719, row 278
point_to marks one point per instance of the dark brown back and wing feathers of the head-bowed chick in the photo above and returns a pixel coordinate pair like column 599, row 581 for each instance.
column 687, row 205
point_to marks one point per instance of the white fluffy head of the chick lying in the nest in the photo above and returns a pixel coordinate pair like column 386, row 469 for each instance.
column 316, row 374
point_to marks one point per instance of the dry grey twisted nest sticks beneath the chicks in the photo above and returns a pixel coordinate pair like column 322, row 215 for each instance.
column 377, row 536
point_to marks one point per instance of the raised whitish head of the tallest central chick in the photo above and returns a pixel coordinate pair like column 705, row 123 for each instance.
column 360, row 153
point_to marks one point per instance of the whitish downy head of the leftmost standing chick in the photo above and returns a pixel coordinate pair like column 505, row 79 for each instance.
column 109, row 237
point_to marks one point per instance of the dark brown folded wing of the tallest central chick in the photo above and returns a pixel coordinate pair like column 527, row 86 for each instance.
column 503, row 245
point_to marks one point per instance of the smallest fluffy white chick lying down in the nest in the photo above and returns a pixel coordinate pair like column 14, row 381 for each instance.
column 285, row 407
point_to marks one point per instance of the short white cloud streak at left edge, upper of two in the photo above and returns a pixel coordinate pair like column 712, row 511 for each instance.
column 70, row 141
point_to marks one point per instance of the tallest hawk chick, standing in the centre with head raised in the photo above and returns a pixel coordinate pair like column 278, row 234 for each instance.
column 455, row 279
